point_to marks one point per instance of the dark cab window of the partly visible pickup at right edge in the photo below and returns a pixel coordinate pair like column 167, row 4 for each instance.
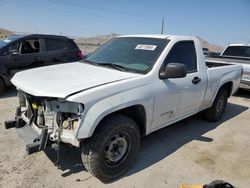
column 237, row 51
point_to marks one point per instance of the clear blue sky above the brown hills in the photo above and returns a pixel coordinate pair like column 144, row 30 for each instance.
column 218, row 21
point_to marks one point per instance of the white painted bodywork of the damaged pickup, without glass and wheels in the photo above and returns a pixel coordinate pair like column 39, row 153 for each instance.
column 106, row 90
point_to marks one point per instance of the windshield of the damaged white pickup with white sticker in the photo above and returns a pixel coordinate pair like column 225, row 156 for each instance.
column 132, row 54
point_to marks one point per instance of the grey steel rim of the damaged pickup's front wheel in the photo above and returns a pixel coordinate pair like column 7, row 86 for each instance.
column 116, row 148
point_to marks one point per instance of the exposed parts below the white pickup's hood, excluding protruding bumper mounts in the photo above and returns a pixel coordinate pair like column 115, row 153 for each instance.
column 59, row 116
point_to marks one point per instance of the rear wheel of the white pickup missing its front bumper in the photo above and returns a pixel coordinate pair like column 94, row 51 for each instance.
column 215, row 112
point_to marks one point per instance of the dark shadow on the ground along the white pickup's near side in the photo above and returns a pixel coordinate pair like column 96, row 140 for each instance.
column 166, row 141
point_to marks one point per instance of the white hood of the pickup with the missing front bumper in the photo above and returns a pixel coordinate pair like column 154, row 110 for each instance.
column 66, row 79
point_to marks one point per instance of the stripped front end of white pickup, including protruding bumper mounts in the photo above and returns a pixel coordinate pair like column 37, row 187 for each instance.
column 42, row 119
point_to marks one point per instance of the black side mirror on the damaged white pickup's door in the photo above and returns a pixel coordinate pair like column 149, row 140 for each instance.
column 174, row 70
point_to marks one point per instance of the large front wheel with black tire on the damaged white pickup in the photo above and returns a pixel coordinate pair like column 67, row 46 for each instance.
column 97, row 152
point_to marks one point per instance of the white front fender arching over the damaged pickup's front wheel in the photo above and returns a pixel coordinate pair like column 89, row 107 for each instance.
column 95, row 113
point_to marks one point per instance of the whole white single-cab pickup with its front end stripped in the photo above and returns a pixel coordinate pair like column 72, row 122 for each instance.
column 128, row 88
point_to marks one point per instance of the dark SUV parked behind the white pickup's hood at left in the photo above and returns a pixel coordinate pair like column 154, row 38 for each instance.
column 20, row 52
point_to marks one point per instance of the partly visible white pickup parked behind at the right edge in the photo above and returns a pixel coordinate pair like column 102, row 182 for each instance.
column 236, row 54
